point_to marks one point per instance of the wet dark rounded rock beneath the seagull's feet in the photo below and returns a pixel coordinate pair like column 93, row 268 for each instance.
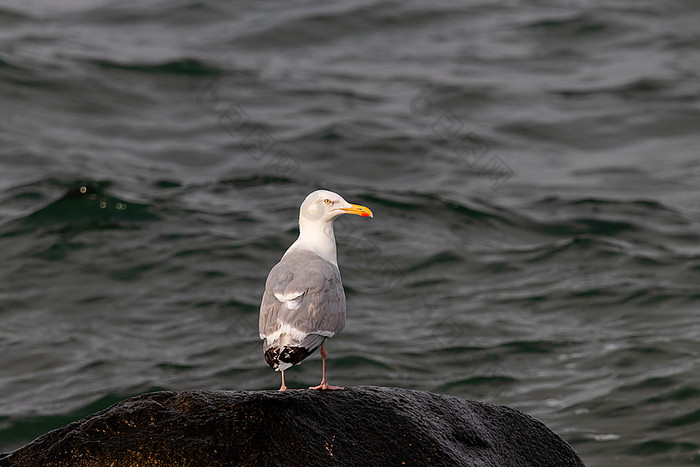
column 357, row 426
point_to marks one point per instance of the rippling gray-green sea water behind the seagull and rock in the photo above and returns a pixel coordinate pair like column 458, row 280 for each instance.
column 533, row 168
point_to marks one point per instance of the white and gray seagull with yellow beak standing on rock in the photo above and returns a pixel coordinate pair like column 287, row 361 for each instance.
column 304, row 302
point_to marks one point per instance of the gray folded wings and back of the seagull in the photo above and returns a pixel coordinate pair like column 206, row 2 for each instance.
column 303, row 303
